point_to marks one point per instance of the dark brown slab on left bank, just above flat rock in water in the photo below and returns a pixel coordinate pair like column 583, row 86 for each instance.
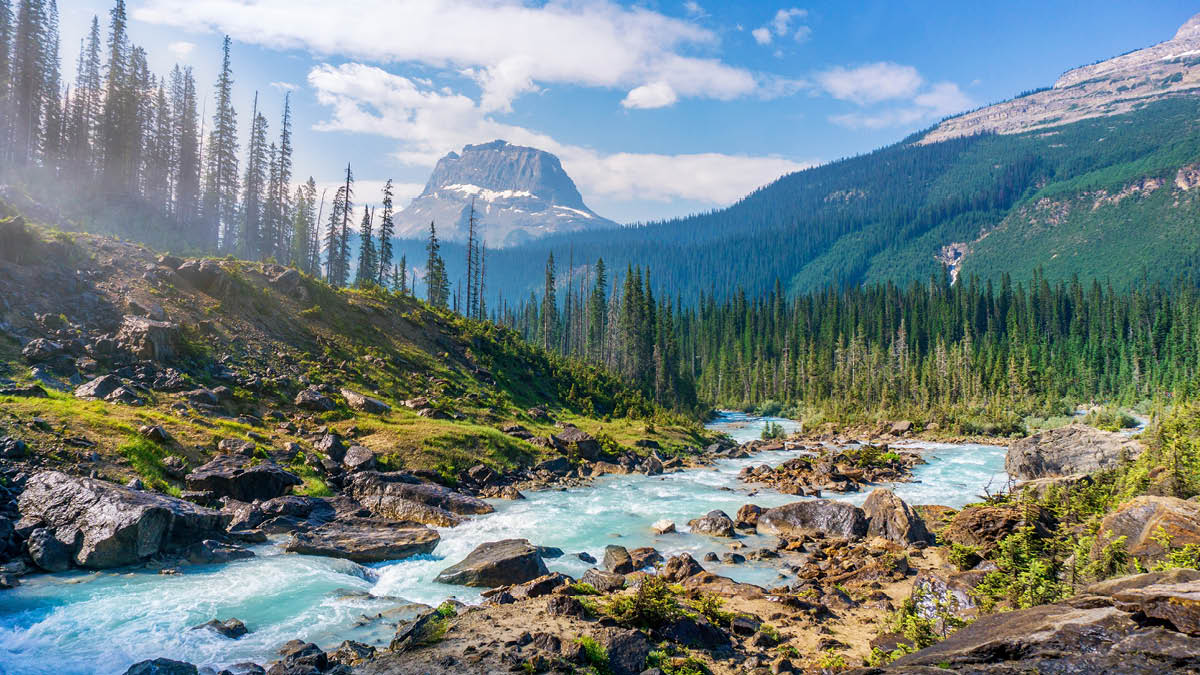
column 401, row 497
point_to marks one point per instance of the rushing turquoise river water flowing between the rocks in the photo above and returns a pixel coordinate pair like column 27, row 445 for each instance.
column 101, row 623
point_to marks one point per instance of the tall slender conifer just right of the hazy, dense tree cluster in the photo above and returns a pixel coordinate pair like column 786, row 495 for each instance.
column 220, row 201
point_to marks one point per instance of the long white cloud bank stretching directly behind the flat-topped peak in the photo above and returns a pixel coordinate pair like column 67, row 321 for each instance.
column 430, row 123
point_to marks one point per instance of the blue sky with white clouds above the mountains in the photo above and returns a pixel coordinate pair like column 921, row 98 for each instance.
column 657, row 109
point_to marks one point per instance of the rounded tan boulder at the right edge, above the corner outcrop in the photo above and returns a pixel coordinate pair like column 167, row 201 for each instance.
column 1150, row 525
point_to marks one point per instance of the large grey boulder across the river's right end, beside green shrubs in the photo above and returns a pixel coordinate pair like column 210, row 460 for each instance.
column 1069, row 451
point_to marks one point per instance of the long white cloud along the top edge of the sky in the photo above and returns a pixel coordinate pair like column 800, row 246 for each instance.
column 508, row 46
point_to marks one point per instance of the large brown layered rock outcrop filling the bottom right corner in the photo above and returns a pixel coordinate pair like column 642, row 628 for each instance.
column 1138, row 625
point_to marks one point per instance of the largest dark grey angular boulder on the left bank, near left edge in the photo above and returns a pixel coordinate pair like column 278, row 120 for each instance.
column 110, row 525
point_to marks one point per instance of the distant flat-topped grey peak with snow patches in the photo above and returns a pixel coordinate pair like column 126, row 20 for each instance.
column 520, row 194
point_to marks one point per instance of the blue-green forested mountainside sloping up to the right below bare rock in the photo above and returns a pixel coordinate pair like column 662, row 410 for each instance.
column 1106, row 199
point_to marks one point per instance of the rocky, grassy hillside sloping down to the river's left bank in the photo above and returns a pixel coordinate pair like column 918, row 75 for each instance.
column 267, row 339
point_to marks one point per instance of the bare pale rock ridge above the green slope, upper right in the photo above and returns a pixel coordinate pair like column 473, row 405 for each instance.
column 1108, row 88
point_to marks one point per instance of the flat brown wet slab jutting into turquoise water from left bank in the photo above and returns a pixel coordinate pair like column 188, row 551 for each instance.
column 365, row 540
